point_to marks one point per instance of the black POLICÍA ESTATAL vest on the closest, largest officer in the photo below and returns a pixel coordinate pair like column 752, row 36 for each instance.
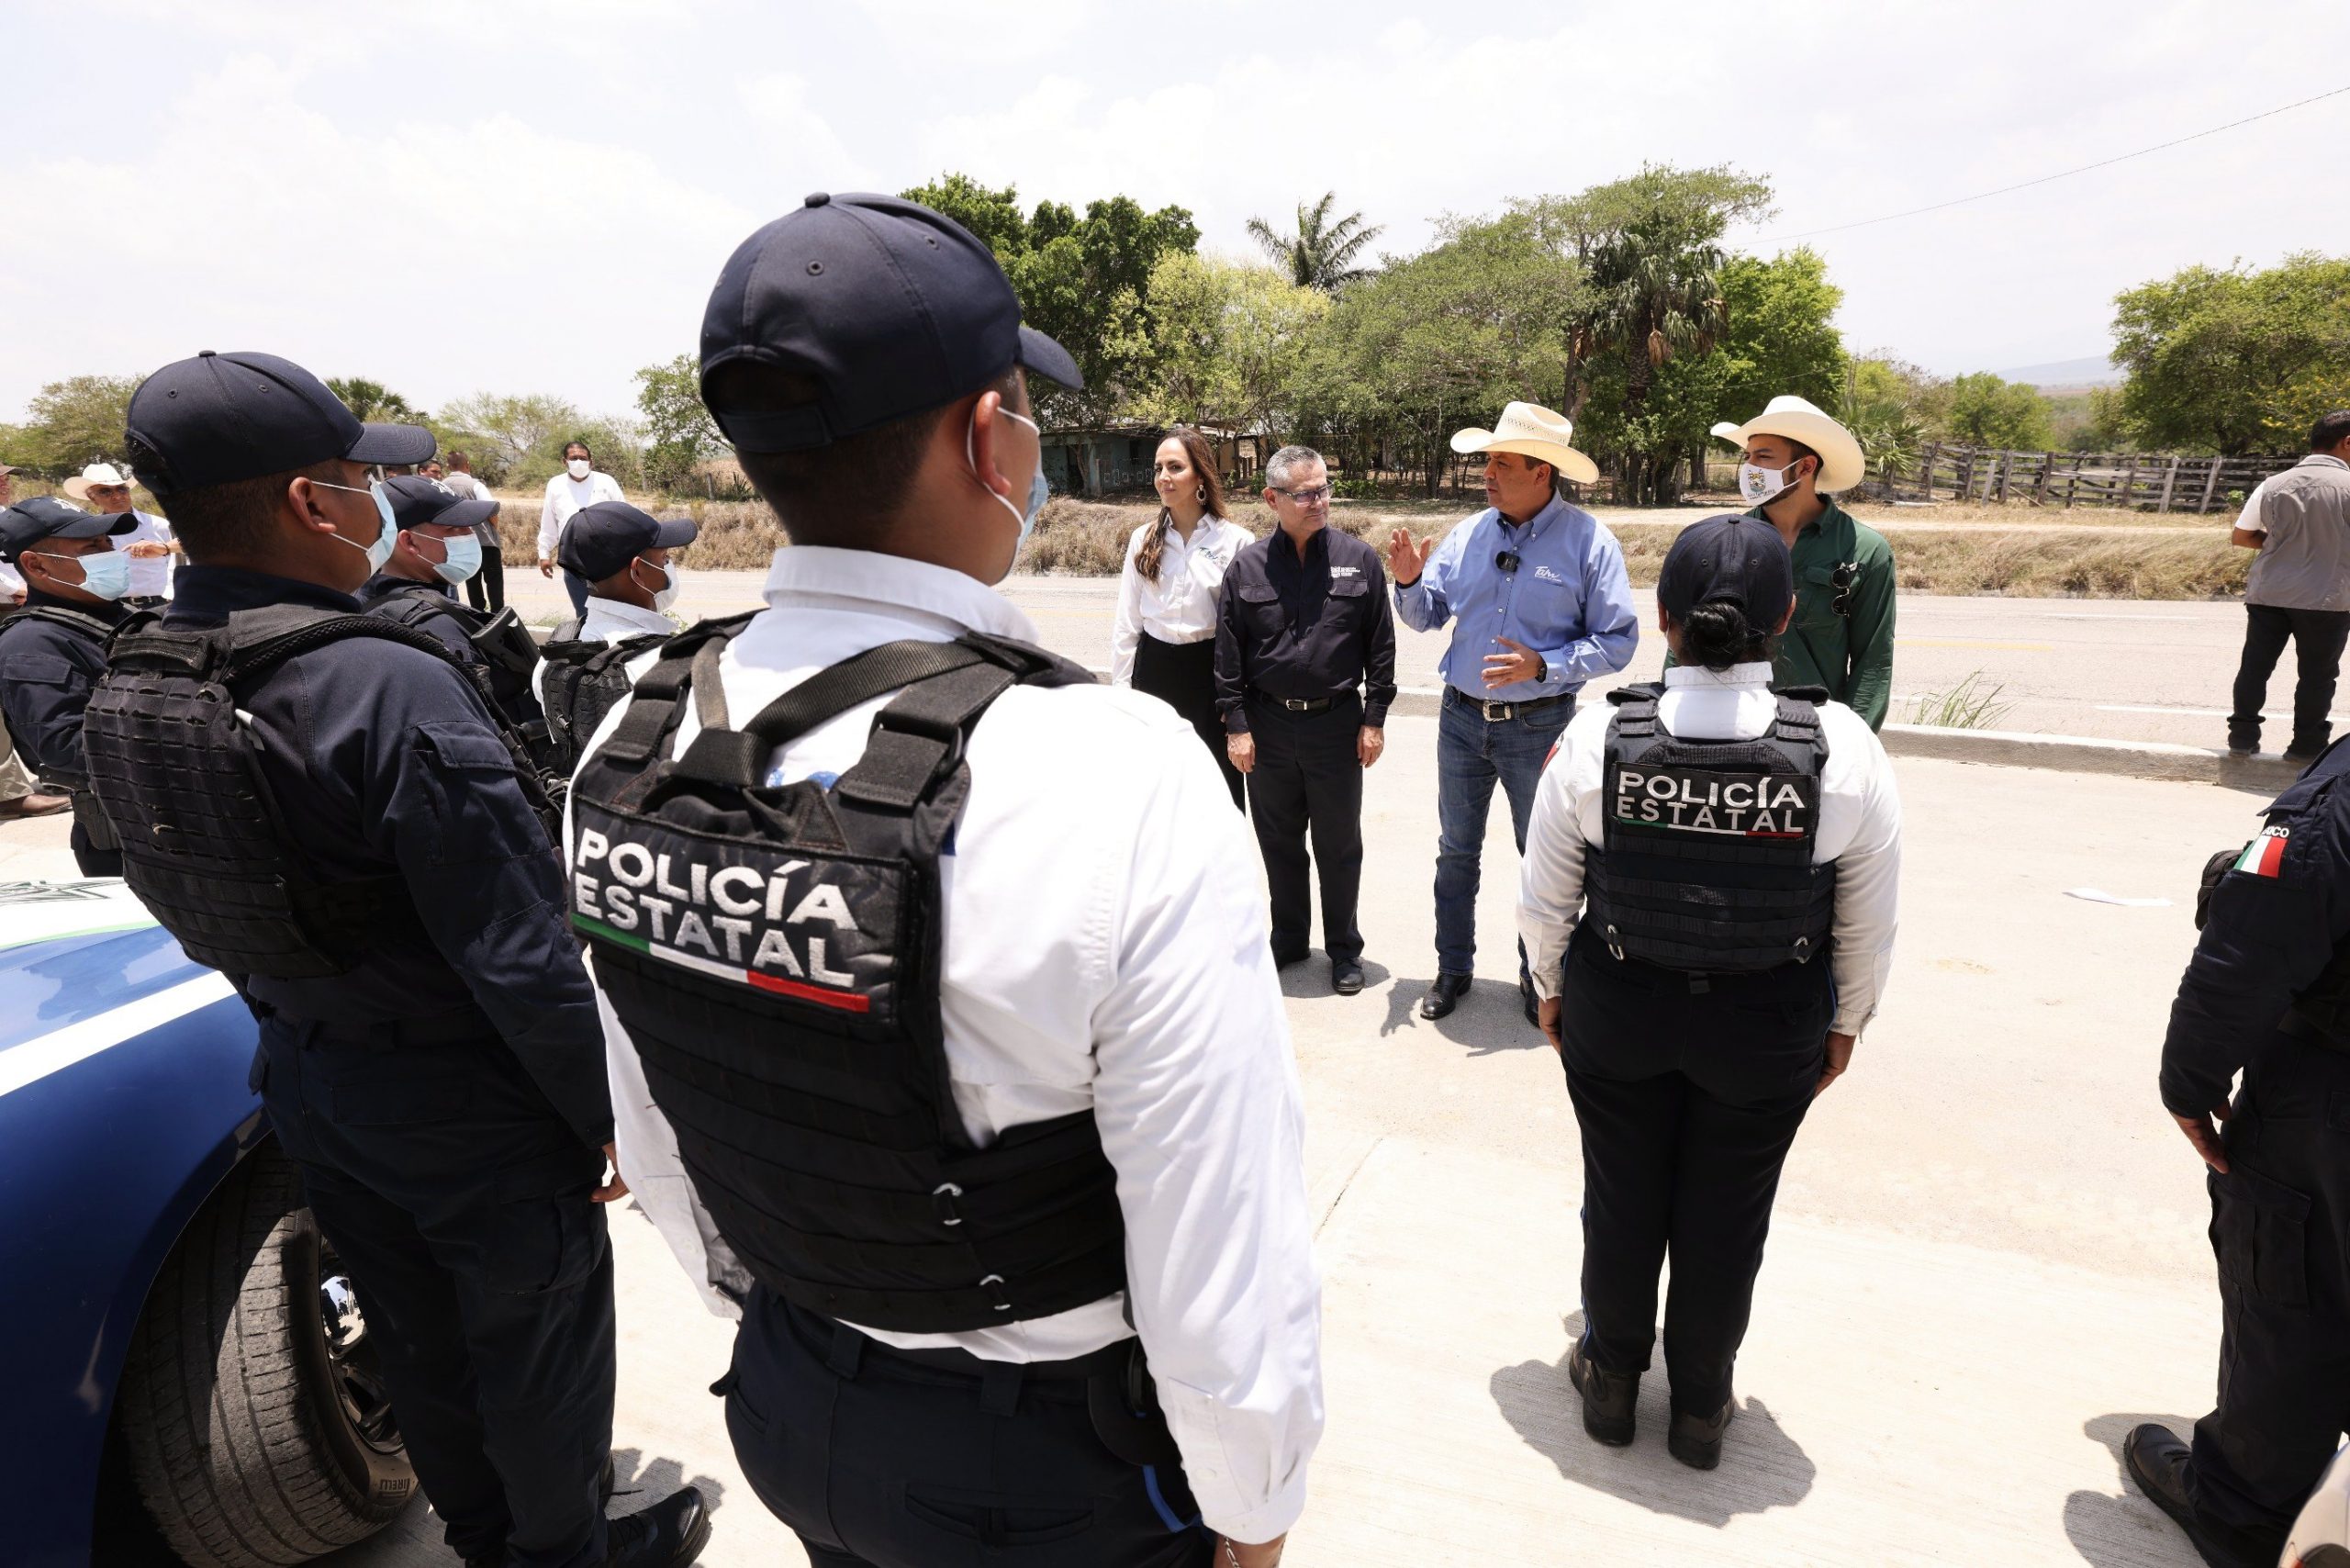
column 777, row 958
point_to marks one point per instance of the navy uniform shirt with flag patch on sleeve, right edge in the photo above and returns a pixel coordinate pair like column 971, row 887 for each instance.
column 2276, row 920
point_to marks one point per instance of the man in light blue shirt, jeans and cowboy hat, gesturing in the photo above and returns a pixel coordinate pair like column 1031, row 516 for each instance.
column 1540, row 605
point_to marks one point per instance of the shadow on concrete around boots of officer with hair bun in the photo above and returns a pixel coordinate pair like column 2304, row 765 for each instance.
column 1764, row 1468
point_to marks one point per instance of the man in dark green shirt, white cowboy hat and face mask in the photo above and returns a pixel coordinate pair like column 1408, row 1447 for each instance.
column 1844, row 629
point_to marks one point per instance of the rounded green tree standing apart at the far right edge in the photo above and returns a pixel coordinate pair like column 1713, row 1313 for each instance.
column 2236, row 361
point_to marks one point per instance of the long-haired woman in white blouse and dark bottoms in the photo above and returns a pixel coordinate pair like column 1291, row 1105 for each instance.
column 1164, row 636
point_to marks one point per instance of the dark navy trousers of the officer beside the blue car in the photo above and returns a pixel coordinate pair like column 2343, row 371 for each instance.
column 459, row 1207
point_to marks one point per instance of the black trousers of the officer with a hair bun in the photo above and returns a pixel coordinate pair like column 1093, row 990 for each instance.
column 1688, row 1104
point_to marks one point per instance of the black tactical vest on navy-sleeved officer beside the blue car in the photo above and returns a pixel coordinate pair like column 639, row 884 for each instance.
column 206, row 843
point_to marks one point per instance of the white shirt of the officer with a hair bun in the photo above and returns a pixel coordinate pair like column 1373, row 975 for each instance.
column 1860, row 826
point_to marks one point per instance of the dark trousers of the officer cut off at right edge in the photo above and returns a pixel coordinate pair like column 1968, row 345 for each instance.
column 2281, row 1226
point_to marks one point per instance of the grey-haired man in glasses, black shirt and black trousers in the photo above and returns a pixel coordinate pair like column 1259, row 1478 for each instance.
column 1305, row 669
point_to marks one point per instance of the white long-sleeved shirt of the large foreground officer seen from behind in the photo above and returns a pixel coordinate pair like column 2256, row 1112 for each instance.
column 1094, row 960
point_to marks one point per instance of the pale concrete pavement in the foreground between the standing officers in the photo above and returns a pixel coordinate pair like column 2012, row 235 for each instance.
column 1987, row 1266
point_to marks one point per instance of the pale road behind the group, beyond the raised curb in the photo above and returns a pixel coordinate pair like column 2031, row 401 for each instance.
column 2111, row 669
